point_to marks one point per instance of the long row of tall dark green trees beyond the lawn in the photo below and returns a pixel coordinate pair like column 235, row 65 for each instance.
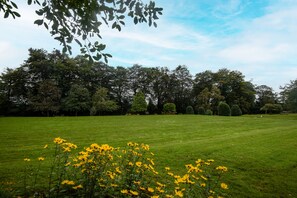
column 55, row 84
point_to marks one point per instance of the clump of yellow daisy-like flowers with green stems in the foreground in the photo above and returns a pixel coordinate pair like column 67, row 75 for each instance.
column 105, row 171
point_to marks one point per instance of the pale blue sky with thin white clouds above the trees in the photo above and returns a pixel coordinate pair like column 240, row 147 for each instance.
column 256, row 37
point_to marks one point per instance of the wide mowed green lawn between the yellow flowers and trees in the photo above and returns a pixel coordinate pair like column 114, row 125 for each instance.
column 260, row 152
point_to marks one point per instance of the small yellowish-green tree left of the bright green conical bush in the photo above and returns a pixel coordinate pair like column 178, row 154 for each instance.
column 102, row 103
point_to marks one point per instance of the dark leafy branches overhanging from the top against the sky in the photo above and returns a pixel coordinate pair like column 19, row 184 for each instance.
column 80, row 21
